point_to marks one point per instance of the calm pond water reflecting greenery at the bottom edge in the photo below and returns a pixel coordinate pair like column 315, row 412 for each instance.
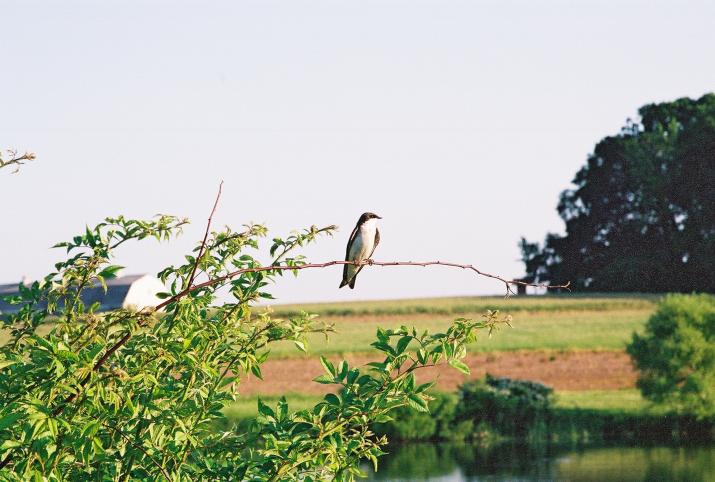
column 463, row 462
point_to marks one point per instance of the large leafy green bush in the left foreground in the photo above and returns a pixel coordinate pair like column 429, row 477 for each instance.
column 139, row 395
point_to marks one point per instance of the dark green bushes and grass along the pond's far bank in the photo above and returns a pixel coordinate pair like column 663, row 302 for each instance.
column 495, row 410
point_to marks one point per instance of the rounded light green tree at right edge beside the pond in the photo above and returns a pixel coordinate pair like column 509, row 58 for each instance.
column 676, row 354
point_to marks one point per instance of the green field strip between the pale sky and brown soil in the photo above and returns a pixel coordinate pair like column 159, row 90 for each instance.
column 539, row 323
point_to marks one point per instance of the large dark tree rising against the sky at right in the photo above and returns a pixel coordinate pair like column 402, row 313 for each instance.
column 642, row 214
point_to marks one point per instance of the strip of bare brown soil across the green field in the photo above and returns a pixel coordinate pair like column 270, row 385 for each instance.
column 577, row 370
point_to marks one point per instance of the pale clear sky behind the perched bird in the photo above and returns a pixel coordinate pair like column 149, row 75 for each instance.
column 459, row 122
